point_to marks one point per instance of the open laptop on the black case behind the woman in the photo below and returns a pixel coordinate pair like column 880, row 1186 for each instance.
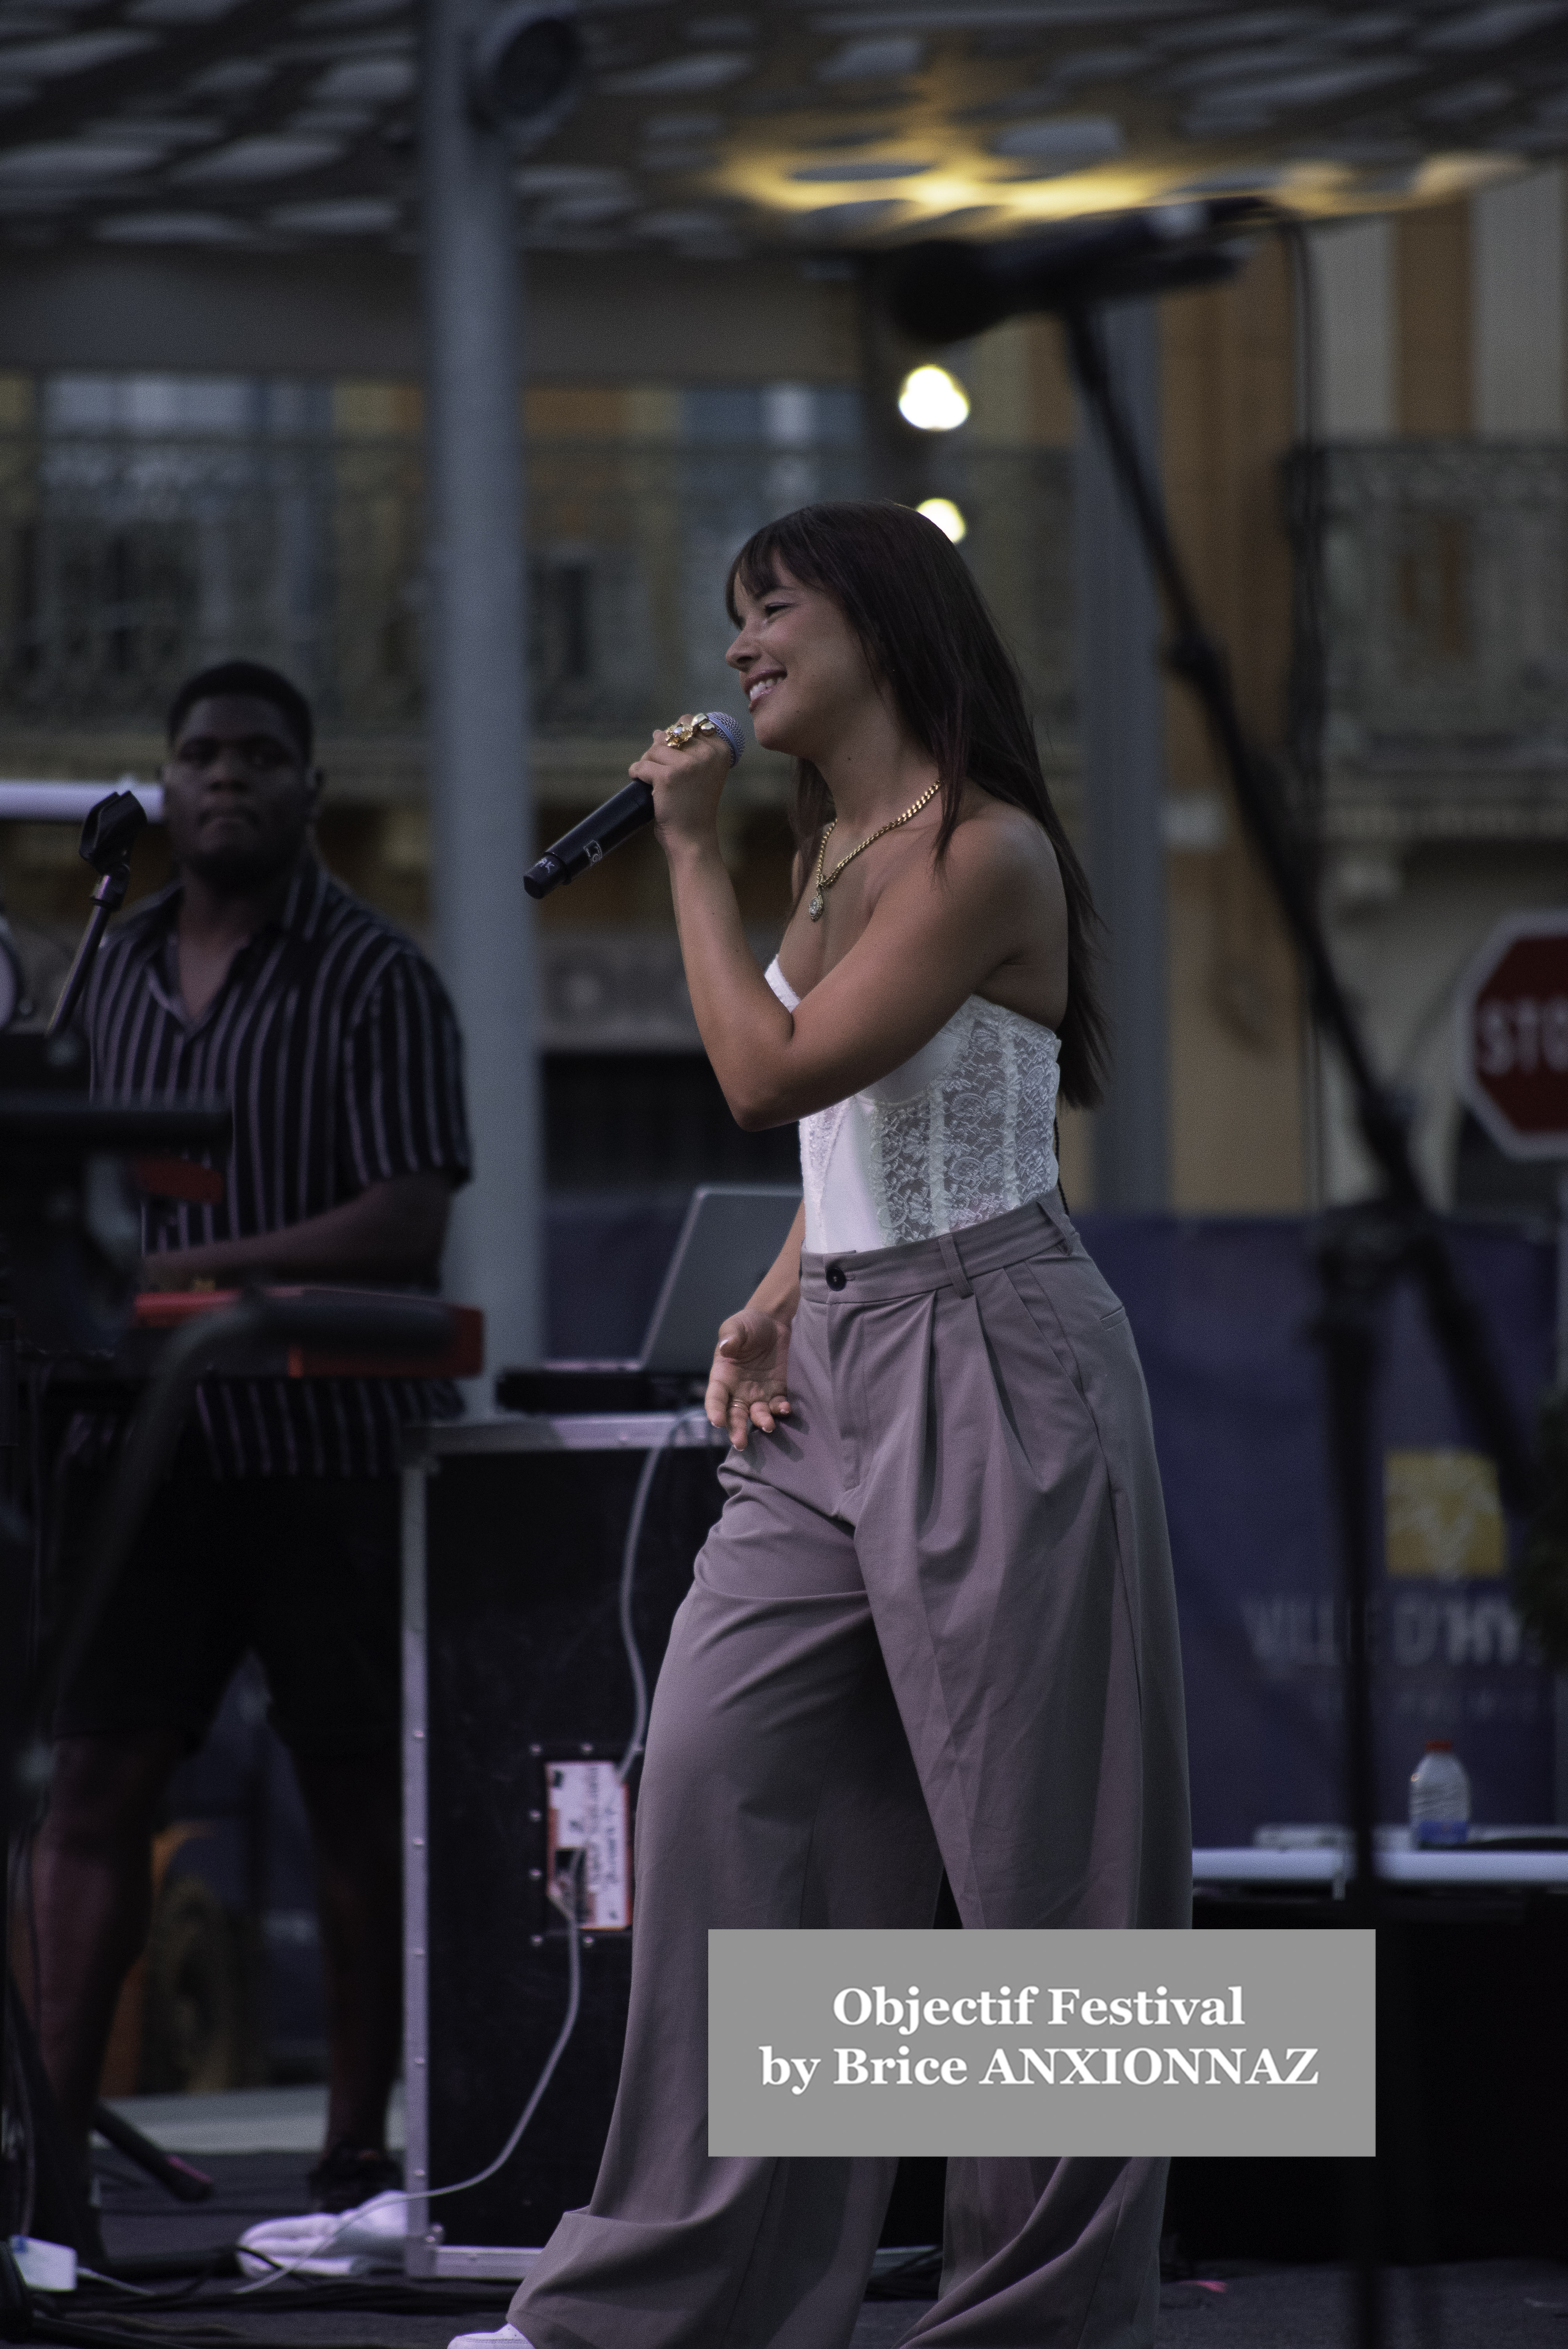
column 729, row 1239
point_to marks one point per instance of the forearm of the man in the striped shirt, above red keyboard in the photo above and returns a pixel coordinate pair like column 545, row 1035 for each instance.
column 391, row 1232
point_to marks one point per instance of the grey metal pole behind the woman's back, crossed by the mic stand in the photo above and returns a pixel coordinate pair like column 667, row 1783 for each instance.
column 1123, row 760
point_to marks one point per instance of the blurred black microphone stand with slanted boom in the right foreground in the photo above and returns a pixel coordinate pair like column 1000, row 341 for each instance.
column 1363, row 1248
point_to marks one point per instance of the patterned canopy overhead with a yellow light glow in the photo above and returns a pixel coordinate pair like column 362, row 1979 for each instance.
column 790, row 126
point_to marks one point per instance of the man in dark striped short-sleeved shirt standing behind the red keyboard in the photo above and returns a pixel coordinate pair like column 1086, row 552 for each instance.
column 259, row 978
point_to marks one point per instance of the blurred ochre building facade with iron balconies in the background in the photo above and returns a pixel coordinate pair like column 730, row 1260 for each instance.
column 1365, row 447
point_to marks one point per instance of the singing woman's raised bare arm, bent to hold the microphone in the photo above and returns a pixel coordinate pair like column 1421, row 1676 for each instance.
column 933, row 941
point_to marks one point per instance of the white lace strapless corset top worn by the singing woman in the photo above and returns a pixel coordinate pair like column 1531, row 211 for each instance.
column 961, row 1133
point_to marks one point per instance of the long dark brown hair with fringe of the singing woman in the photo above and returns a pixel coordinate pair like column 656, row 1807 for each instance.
column 933, row 642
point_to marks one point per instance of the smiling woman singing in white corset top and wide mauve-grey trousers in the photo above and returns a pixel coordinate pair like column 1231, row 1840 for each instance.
column 935, row 1624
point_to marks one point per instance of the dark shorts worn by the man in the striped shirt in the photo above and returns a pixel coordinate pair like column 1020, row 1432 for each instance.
column 302, row 1570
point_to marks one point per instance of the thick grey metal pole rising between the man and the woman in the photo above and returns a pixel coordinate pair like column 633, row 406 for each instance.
column 480, row 814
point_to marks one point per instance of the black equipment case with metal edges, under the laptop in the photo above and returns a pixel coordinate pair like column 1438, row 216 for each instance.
column 515, row 1664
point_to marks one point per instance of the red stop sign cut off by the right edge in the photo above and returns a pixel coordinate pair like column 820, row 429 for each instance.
column 1513, row 1035
